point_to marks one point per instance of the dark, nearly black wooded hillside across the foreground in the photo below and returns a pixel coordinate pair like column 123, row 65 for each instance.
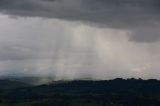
column 117, row 92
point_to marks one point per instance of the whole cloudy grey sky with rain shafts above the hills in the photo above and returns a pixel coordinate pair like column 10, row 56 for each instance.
column 72, row 39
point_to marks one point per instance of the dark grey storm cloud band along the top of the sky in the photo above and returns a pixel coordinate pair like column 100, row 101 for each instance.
column 122, row 14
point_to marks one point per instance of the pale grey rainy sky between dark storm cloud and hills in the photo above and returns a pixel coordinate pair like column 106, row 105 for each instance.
column 65, row 50
